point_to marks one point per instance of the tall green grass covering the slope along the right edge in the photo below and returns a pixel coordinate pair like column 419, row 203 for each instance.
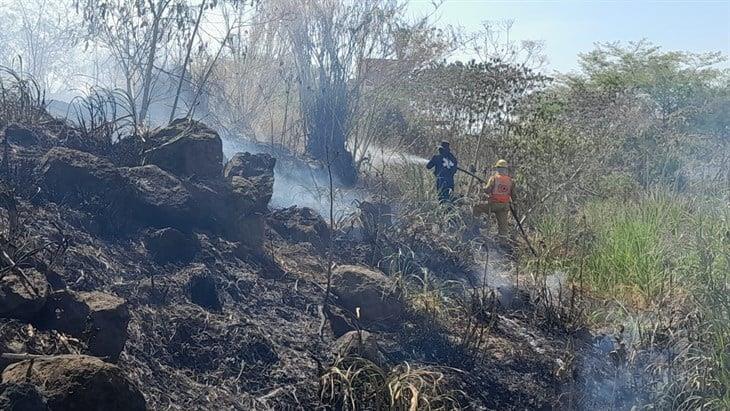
column 665, row 258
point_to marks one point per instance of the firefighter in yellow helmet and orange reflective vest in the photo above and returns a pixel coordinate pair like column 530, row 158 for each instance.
column 498, row 191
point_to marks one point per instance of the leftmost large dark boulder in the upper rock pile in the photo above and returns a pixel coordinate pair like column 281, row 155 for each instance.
column 71, row 175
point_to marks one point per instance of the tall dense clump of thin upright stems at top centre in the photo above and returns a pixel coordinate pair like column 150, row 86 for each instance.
column 329, row 40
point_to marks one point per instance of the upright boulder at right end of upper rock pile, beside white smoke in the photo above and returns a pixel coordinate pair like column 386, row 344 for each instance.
column 251, row 177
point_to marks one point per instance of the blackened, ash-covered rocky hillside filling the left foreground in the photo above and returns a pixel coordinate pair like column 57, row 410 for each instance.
column 151, row 274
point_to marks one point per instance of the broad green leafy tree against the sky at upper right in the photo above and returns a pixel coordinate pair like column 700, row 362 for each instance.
column 680, row 93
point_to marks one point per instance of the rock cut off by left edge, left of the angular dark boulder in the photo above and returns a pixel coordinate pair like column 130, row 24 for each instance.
column 20, row 298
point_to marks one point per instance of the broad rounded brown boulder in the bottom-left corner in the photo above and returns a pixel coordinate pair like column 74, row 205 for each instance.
column 77, row 382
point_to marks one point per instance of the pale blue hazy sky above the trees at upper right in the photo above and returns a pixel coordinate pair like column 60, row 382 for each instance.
column 571, row 27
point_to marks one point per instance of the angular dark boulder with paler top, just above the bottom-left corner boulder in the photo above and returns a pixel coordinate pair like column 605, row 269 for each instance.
column 96, row 318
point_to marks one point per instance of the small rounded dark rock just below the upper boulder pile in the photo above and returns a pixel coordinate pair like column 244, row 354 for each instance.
column 170, row 245
